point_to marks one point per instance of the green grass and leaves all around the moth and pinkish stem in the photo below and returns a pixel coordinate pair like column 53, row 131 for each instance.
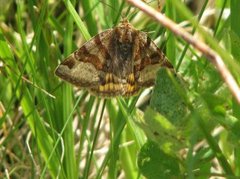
column 188, row 127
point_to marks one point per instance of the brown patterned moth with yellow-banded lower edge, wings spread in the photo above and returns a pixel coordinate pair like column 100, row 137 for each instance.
column 116, row 62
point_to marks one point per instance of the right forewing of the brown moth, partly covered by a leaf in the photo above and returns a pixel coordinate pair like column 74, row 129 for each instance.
column 151, row 60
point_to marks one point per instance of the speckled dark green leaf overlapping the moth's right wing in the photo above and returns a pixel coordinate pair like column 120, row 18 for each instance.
column 168, row 96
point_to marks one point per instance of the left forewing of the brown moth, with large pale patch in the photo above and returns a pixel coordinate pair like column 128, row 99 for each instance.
column 83, row 67
